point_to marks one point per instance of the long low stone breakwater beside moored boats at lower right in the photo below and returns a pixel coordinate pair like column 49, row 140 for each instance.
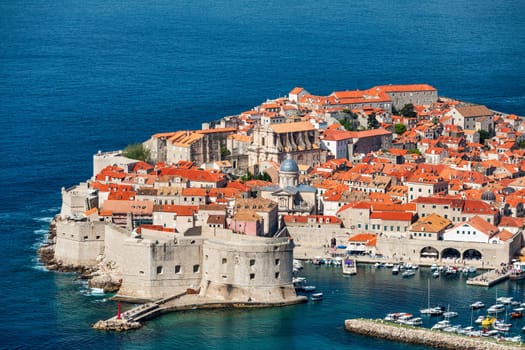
column 420, row 336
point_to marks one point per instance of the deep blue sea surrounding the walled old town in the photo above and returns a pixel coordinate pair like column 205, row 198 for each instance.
column 81, row 76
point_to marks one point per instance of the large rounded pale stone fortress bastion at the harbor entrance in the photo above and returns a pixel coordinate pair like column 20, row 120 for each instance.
column 248, row 269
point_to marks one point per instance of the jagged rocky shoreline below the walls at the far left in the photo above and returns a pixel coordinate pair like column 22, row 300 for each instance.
column 103, row 275
